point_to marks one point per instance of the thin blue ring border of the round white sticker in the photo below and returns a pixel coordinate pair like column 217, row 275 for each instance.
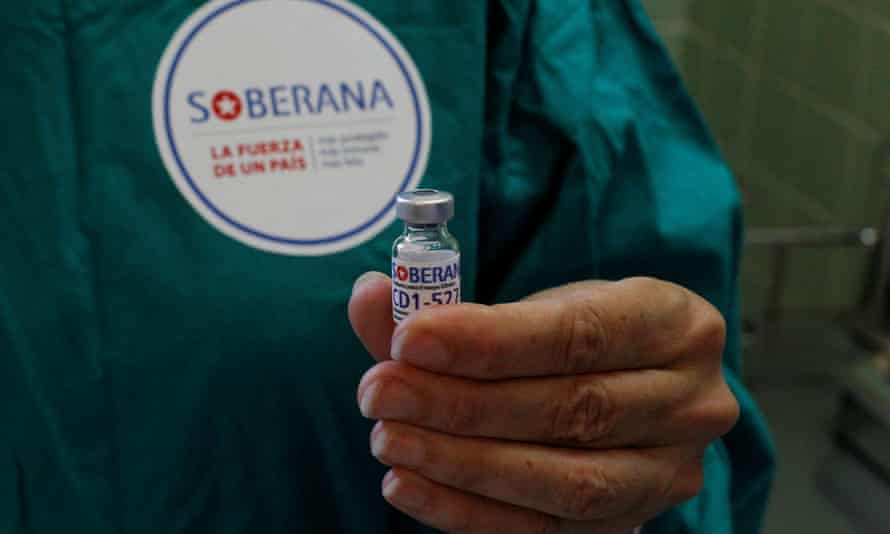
column 251, row 231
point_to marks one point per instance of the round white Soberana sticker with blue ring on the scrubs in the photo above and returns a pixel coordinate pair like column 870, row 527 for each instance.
column 291, row 125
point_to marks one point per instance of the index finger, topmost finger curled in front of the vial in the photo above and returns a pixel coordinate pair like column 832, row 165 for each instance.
column 588, row 327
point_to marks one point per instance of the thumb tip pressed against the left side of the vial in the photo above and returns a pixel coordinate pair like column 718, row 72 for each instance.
column 370, row 312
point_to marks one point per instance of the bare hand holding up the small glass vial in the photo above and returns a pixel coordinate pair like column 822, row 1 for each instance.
column 583, row 409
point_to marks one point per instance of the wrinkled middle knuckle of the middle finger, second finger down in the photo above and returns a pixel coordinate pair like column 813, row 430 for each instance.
column 586, row 416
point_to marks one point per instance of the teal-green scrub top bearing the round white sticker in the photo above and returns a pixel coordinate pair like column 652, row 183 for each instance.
column 157, row 376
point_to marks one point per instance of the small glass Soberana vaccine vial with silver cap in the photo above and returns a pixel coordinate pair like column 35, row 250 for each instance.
column 425, row 258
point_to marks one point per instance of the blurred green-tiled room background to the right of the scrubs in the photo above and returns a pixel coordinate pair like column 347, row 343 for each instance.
column 797, row 93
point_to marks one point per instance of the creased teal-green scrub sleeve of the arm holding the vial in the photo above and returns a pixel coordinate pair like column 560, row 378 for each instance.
column 599, row 165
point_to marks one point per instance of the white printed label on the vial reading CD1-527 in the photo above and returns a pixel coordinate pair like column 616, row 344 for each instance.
column 421, row 284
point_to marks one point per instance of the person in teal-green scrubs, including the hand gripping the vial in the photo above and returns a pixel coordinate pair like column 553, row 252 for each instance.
column 157, row 376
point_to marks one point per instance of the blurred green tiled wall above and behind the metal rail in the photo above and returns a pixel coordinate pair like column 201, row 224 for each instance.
column 798, row 94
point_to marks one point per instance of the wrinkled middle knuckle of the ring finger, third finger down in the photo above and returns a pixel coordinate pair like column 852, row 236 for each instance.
column 588, row 494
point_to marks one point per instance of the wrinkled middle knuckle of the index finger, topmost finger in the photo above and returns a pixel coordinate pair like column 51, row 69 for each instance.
column 584, row 335
